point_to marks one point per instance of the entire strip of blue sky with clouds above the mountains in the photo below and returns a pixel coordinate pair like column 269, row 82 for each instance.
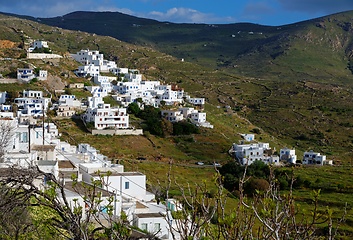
column 266, row 12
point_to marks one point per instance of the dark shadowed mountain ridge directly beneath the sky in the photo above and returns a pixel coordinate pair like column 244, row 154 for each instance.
column 221, row 46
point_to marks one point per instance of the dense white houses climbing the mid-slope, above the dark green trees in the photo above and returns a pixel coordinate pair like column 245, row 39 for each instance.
column 128, row 87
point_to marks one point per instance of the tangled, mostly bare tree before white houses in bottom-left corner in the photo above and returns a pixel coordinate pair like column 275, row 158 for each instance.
column 87, row 216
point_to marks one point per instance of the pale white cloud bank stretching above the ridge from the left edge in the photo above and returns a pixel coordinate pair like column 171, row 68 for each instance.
column 53, row 8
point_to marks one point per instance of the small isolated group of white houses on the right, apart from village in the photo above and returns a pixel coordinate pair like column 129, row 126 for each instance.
column 247, row 154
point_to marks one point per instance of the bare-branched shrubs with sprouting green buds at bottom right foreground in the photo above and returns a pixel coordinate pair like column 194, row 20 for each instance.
column 265, row 214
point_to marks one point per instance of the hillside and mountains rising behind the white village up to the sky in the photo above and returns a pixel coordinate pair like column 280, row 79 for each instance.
column 292, row 81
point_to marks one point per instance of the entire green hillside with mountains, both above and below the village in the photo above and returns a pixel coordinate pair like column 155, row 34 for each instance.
column 291, row 84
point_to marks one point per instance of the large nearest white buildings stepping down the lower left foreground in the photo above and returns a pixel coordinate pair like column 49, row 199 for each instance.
column 32, row 144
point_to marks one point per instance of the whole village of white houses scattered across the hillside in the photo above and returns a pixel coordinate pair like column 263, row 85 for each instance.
column 31, row 141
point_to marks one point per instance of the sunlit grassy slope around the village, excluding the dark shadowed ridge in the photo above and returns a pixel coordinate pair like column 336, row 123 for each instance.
column 286, row 109
